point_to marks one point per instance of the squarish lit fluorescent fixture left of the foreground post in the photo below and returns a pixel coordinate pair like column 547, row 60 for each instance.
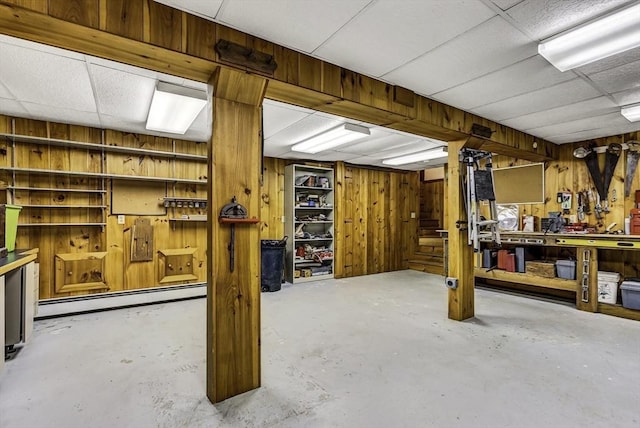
column 174, row 108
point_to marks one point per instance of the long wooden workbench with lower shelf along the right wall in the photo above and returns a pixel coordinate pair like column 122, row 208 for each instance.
column 586, row 248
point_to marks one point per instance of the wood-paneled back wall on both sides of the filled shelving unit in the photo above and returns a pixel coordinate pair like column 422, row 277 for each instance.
column 374, row 231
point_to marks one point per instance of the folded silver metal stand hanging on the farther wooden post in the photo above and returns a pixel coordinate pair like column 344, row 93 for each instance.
column 478, row 186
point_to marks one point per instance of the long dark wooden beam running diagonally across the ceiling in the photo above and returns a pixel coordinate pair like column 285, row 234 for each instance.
column 162, row 39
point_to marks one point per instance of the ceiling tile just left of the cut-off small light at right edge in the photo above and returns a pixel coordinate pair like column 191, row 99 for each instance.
column 593, row 107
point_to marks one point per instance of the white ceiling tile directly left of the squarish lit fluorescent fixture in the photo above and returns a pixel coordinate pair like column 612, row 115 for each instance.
column 122, row 94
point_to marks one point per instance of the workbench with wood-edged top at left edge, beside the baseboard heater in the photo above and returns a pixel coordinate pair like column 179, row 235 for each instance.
column 27, row 282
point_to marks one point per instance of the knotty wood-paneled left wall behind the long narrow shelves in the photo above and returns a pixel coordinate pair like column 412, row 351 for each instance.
column 120, row 273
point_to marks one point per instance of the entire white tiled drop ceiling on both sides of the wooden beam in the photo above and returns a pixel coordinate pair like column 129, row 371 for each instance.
column 477, row 55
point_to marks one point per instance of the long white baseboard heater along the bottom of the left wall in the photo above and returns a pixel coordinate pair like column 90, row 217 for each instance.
column 99, row 302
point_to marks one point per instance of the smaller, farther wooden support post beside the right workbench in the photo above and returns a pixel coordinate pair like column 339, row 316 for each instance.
column 460, row 257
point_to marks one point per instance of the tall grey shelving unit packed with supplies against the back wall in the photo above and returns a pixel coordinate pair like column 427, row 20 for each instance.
column 309, row 209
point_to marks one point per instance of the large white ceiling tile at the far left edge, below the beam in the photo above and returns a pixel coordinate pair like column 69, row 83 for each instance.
column 29, row 74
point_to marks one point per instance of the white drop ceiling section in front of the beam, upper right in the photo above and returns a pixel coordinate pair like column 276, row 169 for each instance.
column 477, row 55
